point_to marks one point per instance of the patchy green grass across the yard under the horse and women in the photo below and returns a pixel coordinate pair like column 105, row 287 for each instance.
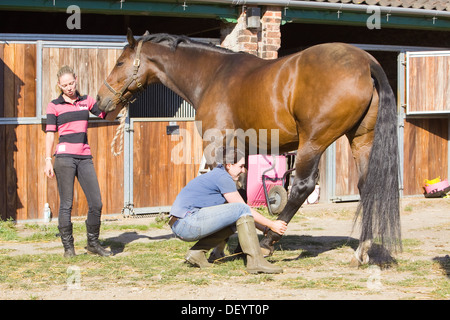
column 319, row 263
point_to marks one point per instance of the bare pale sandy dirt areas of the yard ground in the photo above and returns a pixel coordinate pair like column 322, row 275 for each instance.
column 426, row 221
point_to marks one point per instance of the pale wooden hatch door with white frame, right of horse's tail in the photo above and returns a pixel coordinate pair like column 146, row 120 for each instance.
column 429, row 84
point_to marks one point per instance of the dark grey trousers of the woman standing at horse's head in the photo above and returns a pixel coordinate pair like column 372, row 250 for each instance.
column 66, row 169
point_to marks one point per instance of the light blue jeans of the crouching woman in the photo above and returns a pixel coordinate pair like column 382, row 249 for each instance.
column 203, row 222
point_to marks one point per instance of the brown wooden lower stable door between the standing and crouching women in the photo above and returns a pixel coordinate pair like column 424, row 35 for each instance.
column 163, row 164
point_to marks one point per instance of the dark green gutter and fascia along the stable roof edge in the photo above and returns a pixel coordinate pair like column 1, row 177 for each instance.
column 228, row 10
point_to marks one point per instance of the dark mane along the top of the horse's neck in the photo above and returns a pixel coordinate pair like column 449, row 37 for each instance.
column 174, row 40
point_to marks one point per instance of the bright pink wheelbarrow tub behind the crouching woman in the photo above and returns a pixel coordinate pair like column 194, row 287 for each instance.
column 257, row 164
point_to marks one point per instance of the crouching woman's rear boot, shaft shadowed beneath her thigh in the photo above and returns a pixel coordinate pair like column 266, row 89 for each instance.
column 197, row 254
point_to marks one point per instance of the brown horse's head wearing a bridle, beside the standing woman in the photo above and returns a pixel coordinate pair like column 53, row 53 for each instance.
column 127, row 78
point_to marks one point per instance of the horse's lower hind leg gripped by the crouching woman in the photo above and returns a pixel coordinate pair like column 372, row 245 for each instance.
column 306, row 176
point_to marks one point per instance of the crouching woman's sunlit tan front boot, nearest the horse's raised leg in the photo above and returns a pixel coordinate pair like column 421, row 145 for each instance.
column 248, row 240
